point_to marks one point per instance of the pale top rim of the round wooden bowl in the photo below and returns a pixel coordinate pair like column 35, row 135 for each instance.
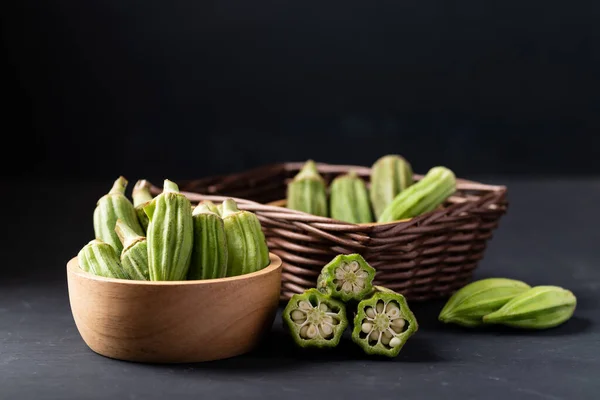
column 274, row 264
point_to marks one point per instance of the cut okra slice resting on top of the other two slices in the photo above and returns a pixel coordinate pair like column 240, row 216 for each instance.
column 346, row 277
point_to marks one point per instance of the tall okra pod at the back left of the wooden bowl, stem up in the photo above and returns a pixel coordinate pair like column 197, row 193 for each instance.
column 111, row 207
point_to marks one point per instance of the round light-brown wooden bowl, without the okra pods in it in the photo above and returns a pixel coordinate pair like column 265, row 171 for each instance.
column 177, row 321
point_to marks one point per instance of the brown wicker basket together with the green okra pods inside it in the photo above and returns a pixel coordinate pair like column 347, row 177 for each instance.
column 424, row 235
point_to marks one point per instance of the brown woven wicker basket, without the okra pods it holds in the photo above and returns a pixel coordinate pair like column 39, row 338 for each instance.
column 426, row 257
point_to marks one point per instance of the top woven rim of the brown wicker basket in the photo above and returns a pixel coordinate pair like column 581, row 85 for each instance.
column 279, row 212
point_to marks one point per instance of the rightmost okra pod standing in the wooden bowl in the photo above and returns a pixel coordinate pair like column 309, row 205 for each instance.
column 246, row 244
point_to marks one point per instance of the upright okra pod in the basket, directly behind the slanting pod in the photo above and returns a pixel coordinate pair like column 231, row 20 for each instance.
column 390, row 175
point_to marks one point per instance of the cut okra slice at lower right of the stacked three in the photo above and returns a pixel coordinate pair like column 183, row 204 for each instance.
column 383, row 323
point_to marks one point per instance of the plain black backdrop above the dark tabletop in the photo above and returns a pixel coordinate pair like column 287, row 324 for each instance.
column 188, row 89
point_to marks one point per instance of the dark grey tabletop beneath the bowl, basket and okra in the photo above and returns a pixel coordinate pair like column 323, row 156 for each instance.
column 549, row 236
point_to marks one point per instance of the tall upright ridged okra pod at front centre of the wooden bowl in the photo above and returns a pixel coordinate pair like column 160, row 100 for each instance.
column 170, row 234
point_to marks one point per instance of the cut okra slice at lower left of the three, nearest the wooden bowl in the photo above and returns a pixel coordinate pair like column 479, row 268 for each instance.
column 314, row 319
